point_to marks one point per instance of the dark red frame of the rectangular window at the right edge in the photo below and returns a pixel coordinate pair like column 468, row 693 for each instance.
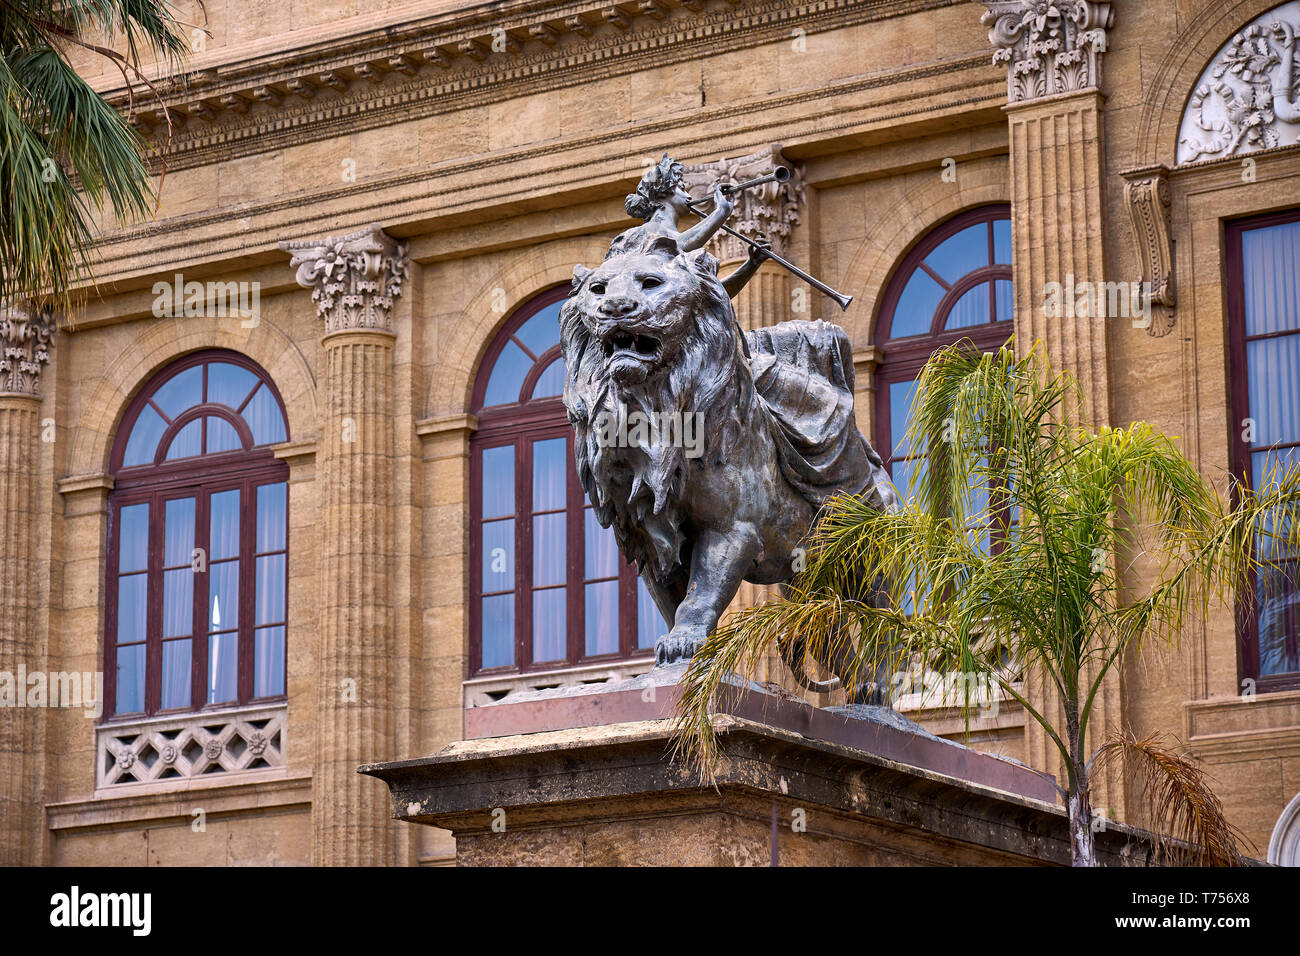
column 1240, row 399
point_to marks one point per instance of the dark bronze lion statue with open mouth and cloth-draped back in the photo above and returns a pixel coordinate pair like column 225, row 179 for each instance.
column 652, row 331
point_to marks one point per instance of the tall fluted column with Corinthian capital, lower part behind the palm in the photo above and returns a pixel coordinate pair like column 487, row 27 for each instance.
column 1054, row 55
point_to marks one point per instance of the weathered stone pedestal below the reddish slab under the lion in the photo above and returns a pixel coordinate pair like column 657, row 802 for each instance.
column 612, row 797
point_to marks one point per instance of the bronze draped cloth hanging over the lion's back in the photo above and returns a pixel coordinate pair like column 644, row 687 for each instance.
column 804, row 375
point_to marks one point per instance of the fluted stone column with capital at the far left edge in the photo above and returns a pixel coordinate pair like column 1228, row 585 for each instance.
column 25, row 338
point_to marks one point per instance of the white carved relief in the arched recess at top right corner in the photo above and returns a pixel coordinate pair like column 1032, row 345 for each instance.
column 1249, row 98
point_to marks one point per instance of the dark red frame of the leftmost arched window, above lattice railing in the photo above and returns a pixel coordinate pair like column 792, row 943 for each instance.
column 198, row 478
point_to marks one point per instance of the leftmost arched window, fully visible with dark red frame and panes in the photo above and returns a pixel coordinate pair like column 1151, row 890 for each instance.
column 198, row 542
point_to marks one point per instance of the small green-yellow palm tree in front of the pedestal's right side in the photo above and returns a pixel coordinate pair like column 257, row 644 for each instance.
column 1007, row 561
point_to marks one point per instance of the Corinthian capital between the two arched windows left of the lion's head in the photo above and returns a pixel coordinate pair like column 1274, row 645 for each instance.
column 354, row 279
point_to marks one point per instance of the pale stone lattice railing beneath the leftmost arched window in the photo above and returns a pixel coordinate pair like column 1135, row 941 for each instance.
column 190, row 746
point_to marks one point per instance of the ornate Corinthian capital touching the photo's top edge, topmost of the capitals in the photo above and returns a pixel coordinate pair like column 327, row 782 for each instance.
column 1048, row 46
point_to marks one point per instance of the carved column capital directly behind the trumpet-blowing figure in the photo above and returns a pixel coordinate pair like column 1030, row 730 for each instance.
column 768, row 211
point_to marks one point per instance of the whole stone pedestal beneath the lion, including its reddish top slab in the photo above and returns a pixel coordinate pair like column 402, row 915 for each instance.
column 584, row 777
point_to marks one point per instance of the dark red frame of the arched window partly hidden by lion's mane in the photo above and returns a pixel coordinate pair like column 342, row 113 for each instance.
column 519, row 425
